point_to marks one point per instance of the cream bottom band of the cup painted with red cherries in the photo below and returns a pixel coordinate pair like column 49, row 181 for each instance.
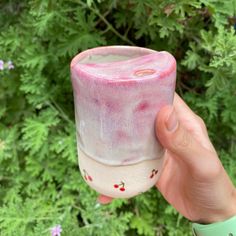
column 119, row 181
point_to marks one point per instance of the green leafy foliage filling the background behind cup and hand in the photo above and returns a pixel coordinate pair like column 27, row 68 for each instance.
column 40, row 184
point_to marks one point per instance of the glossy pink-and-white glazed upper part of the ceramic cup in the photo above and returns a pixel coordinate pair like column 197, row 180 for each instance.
column 117, row 102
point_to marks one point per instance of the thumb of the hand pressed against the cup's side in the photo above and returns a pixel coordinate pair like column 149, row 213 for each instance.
column 177, row 138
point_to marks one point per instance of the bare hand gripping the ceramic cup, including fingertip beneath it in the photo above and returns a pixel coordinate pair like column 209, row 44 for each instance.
column 193, row 179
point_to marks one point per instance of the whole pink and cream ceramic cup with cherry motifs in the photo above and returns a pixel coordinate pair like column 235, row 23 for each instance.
column 118, row 91
